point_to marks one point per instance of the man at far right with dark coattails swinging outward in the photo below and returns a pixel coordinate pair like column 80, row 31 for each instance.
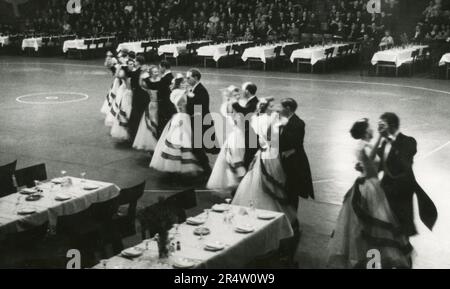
column 397, row 153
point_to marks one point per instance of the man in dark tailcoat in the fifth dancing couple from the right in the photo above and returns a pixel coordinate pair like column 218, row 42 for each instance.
column 166, row 109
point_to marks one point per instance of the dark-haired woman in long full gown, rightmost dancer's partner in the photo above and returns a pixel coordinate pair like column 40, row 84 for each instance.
column 366, row 227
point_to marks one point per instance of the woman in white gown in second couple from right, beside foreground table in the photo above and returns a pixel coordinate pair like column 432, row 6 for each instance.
column 264, row 186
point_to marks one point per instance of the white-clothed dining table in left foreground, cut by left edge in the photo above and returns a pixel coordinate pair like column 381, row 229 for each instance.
column 48, row 200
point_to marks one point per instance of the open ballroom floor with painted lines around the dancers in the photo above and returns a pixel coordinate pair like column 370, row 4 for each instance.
column 50, row 112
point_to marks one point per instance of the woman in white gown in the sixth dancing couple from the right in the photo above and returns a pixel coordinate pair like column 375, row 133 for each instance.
column 122, row 107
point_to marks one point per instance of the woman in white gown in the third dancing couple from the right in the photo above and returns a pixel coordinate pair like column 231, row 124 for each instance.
column 229, row 168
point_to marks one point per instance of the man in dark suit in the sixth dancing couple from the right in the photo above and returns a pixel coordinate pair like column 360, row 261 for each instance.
column 140, row 97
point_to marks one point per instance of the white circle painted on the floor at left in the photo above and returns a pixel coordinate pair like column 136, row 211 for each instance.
column 57, row 97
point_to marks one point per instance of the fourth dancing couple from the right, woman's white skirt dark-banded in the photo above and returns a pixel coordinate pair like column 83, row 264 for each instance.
column 179, row 151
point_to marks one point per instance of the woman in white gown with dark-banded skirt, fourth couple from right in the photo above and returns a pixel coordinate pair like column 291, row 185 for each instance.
column 173, row 153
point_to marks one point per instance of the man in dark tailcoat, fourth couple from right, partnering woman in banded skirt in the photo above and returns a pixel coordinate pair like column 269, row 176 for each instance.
column 203, row 132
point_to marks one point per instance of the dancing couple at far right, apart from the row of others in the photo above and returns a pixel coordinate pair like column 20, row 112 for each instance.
column 378, row 215
